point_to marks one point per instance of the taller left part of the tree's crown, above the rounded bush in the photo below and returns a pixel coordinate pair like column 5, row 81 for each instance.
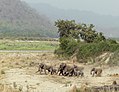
column 67, row 28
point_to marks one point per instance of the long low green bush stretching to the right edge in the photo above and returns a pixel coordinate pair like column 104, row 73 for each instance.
column 87, row 50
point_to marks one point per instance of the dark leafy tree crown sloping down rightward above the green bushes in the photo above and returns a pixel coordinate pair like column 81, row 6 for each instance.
column 69, row 28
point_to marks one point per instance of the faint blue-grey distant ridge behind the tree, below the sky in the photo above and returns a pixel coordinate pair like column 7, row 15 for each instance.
column 107, row 24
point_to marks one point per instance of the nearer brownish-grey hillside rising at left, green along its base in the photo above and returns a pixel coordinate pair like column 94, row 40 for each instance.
column 17, row 19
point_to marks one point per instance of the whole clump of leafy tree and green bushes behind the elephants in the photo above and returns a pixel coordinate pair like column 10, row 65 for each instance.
column 93, row 43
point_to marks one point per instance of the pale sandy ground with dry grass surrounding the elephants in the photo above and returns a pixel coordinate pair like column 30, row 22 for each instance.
column 19, row 72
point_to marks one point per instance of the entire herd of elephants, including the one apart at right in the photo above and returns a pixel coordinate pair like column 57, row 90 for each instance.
column 66, row 70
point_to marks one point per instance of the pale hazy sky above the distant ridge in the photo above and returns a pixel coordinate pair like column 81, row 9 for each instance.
column 108, row 7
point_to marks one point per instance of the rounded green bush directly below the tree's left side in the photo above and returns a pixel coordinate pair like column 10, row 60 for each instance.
column 67, row 47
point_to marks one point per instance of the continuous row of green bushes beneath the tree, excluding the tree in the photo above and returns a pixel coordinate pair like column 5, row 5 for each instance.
column 68, row 46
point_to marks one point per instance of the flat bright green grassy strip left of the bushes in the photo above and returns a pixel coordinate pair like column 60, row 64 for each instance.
column 28, row 45
